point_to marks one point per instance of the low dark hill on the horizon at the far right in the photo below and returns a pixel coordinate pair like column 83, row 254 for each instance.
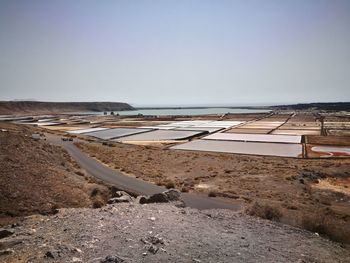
column 332, row 106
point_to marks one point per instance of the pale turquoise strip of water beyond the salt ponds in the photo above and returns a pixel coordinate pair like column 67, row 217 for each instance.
column 183, row 111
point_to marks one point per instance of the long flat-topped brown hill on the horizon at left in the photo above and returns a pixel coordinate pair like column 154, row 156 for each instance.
column 23, row 107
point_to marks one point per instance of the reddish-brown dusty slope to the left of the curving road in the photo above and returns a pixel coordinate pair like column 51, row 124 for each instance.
column 36, row 177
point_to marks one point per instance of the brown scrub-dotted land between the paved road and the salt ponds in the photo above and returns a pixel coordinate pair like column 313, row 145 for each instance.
column 288, row 187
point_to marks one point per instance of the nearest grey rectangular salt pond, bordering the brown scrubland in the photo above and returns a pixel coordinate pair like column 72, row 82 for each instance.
column 254, row 148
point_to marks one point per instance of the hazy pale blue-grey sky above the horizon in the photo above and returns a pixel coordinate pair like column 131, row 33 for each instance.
column 179, row 52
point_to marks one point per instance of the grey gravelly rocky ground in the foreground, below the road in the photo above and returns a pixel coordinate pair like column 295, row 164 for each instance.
column 131, row 232
